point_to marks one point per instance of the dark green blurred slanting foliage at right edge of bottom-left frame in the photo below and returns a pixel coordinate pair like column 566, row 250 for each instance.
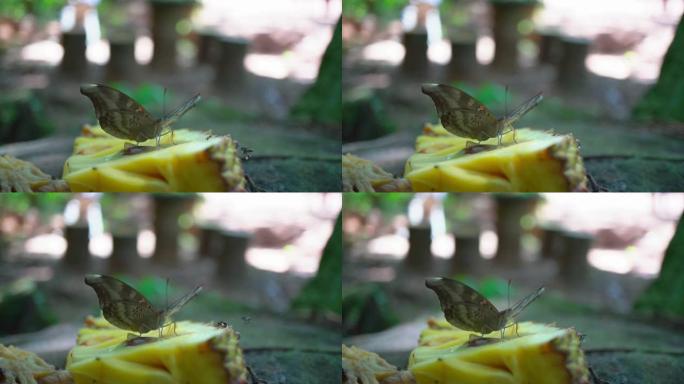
column 324, row 291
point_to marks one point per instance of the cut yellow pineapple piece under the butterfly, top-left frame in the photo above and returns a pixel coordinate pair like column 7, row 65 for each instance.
column 188, row 161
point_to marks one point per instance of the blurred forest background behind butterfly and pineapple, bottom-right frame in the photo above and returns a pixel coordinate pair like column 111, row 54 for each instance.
column 611, row 264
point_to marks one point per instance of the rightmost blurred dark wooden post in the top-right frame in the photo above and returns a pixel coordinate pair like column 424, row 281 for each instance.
column 572, row 72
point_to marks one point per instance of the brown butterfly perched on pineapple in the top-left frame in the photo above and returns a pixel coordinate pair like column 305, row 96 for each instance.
column 124, row 118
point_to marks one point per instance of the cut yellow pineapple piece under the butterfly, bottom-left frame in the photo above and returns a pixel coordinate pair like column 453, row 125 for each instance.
column 190, row 353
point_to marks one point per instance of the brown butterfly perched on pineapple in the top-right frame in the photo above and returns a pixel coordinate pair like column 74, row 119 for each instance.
column 464, row 116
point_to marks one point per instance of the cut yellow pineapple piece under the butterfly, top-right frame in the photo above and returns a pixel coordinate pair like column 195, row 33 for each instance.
column 528, row 161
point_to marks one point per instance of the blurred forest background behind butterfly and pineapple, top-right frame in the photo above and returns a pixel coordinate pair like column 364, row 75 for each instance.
column 601, row 67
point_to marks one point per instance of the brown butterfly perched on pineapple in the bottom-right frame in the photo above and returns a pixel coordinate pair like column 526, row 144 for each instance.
column 467, row 309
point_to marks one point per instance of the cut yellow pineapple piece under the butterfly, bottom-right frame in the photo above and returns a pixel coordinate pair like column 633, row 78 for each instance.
column 537, row 354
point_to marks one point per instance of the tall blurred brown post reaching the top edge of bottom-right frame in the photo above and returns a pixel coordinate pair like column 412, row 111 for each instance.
column 509, row 210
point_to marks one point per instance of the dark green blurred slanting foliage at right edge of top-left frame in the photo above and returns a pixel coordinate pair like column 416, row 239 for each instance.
column 322, row 102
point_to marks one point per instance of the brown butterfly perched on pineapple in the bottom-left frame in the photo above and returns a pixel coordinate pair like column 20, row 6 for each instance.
column 128, row 309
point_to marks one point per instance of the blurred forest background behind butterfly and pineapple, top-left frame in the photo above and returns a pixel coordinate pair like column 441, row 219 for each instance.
column 258, row 66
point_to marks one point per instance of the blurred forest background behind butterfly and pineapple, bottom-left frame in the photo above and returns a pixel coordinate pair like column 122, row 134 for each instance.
column 266, row 264
